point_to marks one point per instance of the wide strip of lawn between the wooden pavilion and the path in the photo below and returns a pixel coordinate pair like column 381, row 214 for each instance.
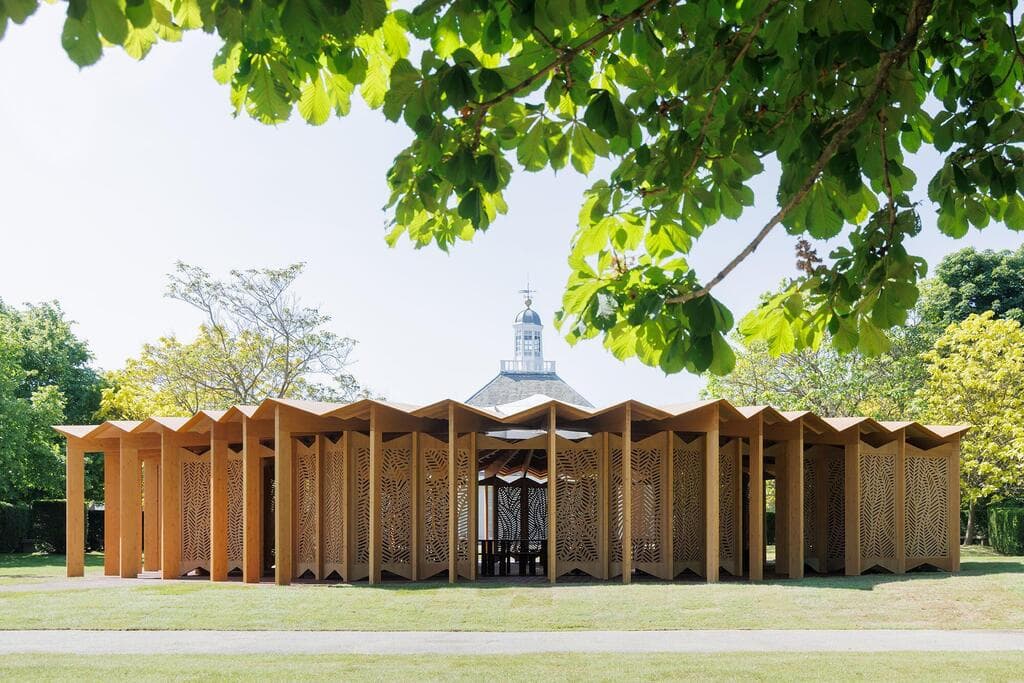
column 988, row 594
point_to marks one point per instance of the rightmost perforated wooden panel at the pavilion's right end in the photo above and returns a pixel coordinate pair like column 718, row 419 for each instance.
column 926, row 534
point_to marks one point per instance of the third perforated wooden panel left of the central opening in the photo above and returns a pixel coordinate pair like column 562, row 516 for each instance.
column 397, row 506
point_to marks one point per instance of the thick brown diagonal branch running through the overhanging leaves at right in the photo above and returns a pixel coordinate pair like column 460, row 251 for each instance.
column 916, row 20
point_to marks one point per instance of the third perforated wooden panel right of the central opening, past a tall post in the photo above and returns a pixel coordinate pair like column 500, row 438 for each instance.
column 648, row 503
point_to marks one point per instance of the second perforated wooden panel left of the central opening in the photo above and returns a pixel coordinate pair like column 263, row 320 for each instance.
column 434, row 506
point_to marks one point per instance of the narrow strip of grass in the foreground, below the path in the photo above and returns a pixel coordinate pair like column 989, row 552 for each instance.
column 817, row 667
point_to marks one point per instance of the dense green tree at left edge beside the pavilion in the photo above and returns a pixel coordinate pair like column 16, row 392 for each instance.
column 46, row 379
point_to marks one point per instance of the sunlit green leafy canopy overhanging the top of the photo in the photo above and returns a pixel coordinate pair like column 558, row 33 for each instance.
column 689, row 101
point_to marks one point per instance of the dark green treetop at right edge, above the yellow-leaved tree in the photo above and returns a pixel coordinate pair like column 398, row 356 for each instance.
column 973, row 282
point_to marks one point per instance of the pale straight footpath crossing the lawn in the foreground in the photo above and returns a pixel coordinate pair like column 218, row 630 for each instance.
column 428, row 643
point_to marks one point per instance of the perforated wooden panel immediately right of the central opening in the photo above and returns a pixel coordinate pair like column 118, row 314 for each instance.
column 579, row 503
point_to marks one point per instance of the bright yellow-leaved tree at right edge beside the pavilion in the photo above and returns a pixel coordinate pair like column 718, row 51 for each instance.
column 976, row 377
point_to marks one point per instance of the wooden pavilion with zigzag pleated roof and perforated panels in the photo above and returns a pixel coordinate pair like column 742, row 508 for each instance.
column 374, row 490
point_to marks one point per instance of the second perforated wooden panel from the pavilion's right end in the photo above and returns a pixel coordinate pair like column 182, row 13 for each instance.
column 878, row 506
